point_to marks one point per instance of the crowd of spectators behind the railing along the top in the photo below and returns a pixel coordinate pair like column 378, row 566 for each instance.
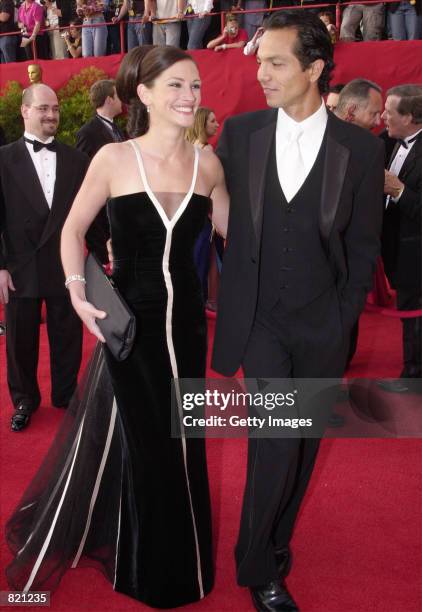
column 71, row 28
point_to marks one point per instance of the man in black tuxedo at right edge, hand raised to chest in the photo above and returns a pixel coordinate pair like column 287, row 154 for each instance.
column 402, row 229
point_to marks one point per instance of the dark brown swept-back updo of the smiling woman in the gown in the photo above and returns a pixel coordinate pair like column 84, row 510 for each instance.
column 143, row 65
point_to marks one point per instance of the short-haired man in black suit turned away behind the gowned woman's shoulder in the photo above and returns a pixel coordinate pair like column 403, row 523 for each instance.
column 96, row 133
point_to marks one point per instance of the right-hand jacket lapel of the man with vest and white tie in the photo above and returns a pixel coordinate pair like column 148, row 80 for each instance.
column 335, row 166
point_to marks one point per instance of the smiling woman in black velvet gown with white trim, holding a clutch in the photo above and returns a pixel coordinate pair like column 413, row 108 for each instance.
column 116, row 490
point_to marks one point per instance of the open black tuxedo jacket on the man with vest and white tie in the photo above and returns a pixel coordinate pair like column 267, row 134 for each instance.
column 350, row 217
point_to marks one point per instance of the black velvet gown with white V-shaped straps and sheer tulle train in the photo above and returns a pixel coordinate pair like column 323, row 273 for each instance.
column 116, row 490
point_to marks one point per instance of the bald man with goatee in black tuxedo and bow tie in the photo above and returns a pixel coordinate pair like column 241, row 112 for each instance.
column 39, row 178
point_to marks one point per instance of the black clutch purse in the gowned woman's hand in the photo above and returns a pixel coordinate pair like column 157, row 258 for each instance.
column 119, row 327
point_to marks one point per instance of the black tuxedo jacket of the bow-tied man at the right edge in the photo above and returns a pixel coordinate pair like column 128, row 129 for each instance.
column 402, row 228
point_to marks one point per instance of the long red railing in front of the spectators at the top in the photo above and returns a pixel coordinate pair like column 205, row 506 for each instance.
column 122, row 23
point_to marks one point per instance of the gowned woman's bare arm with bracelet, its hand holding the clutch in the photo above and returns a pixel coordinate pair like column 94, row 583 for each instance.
column 90, row 199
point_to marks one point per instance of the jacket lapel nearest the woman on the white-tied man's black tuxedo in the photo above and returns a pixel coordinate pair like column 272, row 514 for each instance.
column 259, row 151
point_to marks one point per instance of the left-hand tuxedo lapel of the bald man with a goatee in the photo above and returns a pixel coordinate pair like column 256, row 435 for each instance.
column 23, row 169
